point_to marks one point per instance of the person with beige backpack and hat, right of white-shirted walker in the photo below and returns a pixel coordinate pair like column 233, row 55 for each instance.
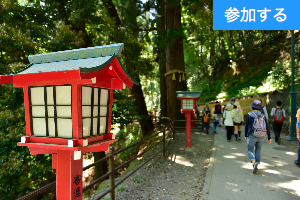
column 238, row 118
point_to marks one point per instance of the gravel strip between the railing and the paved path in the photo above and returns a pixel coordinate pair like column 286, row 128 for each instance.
column 180, row 175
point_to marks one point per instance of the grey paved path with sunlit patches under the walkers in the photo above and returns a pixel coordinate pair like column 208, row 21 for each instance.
column 230, row 174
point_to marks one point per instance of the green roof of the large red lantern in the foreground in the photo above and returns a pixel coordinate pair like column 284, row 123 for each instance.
column 84, row 60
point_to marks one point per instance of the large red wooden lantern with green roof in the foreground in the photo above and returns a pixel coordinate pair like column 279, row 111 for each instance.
column 68, row 106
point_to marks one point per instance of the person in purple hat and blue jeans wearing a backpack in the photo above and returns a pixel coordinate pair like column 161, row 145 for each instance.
column 256, row 128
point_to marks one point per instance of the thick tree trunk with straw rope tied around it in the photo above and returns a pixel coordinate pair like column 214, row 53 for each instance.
column 174, row 57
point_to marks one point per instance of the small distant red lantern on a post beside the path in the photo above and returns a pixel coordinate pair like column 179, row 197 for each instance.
column 189, row 108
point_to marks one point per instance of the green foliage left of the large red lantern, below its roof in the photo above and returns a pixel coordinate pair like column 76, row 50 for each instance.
column 27, row 172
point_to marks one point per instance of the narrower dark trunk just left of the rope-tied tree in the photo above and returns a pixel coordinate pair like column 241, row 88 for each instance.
column 161, row 45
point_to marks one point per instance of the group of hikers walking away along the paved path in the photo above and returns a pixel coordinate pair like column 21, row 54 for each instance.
column 256, row 125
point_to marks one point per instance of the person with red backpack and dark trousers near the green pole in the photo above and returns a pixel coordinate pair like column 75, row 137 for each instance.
column 279, row 114
